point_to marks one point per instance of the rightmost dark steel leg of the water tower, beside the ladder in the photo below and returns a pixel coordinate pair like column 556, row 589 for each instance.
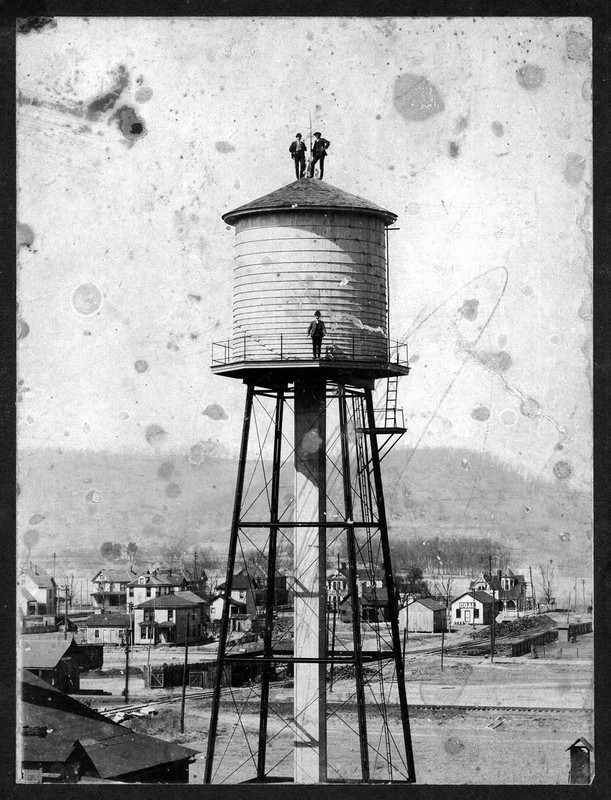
column 393, row 609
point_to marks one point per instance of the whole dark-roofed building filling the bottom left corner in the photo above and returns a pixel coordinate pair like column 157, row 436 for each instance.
column 64, row 741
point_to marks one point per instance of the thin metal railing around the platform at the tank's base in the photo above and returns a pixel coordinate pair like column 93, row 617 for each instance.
column 361, row 346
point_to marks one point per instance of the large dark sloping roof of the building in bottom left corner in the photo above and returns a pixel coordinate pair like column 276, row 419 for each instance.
column 114, row 750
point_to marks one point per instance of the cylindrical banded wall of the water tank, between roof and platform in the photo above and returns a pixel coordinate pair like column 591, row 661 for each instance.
column 290, row 264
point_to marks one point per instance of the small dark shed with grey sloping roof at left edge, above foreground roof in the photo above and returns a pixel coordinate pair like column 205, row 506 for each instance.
column 57, row 661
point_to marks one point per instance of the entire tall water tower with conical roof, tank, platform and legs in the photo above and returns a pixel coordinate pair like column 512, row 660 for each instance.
column 310, row 489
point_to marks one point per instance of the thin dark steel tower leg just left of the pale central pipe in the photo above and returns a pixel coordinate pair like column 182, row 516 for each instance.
column 271, row 585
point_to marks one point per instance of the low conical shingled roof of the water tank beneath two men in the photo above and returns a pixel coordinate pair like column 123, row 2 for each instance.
column 307, row 194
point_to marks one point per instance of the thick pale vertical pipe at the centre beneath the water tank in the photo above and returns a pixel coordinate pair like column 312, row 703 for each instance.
column 310, row 633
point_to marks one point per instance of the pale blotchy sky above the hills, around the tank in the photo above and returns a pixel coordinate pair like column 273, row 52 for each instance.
column 136, row 135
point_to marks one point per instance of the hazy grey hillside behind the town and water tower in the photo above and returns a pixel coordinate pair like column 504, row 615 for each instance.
column 83, row 498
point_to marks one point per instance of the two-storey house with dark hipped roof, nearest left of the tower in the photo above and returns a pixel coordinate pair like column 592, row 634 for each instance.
column 173, row 618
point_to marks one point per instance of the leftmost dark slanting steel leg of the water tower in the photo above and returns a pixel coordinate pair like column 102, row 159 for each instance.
column 233, row 541
